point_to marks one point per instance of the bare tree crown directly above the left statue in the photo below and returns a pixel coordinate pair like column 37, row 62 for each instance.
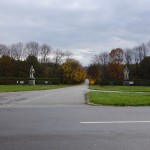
column 32, row 48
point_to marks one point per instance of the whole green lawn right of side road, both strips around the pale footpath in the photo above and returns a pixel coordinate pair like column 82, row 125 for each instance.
column 124, row 96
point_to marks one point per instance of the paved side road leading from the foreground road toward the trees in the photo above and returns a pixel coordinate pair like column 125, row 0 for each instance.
column 64, row 96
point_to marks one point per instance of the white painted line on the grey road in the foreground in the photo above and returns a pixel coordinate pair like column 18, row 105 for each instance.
column 115, row 122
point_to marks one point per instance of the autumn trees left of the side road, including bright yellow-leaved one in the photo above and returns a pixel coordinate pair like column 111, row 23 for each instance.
column 16, row 60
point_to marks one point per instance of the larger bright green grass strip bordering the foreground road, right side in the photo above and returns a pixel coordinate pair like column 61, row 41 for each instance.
column 119, row 99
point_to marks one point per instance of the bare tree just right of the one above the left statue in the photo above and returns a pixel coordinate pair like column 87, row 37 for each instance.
column 45, row 52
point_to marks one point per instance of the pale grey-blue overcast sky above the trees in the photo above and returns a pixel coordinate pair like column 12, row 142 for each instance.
column 84, row 27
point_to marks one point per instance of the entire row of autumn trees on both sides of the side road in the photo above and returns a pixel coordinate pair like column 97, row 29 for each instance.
column 16, row 60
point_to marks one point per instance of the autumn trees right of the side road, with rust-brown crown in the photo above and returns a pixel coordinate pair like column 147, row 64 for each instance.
column 109, row 66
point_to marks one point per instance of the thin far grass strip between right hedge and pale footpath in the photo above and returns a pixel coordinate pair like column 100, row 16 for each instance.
column 122, row 88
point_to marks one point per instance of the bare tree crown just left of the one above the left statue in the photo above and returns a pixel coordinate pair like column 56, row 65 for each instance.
column 17, row 51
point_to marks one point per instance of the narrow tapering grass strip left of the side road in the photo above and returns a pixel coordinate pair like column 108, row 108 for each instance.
column 16, row 88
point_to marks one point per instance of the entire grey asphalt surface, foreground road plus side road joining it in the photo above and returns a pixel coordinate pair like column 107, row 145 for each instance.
column 59, row 120
